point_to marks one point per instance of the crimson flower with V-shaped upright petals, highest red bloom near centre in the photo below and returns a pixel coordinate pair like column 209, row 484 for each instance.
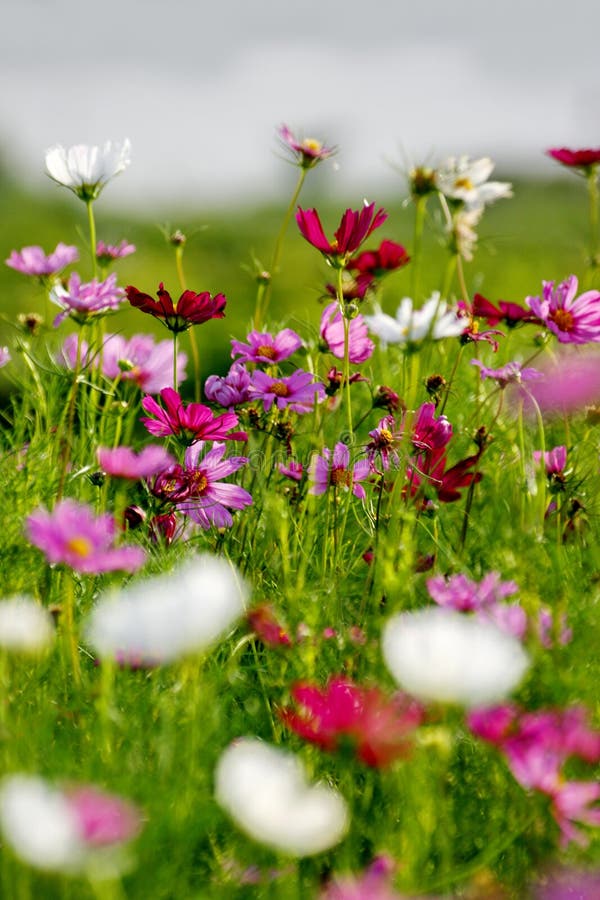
column 354, row 228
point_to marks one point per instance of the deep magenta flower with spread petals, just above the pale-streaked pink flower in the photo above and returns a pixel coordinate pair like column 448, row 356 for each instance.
column 191, row 423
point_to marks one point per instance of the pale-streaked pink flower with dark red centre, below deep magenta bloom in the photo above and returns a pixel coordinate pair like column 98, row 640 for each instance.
column 206, row 499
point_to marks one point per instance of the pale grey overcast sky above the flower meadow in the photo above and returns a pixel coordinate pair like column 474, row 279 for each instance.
column 200, row 87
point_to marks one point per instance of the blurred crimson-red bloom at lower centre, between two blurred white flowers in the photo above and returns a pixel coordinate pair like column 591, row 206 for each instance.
column 378, row 726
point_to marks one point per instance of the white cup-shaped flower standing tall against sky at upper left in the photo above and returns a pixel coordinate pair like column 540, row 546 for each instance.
column 85, row 170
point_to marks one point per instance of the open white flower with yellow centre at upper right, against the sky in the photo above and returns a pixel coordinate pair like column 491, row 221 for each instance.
column 462, row 178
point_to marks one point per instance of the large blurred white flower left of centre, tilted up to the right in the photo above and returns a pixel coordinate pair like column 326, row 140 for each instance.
column 169, row 616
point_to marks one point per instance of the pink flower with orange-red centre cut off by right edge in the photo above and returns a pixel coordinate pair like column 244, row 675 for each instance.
column 574, row 320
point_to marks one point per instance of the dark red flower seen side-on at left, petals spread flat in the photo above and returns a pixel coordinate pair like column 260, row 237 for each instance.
column 190, row 309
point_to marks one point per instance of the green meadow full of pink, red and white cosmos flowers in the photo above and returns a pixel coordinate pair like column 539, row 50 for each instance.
column 313, row 613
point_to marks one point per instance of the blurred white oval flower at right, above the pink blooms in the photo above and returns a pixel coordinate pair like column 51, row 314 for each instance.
column 443, row 655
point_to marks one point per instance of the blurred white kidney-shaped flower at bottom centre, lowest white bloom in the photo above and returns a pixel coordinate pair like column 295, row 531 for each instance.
column 265, row 791
